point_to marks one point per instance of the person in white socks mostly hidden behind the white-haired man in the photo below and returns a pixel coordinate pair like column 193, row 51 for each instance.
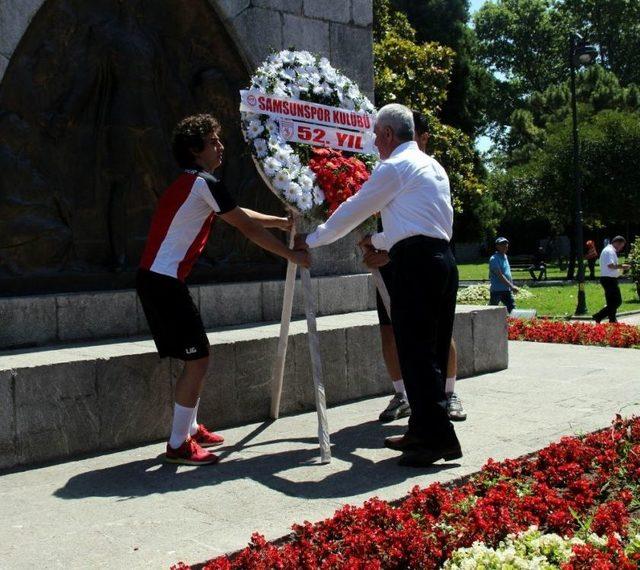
column 399, row 407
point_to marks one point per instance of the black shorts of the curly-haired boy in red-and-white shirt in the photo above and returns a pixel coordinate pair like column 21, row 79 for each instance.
column 173, row 318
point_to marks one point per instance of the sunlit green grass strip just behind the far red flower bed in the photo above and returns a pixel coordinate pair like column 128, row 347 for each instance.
column 561, row 300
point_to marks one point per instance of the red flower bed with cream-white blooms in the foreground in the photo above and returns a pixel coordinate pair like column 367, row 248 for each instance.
column 586, row 490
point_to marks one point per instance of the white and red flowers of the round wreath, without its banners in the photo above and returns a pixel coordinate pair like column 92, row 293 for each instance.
column 313, row 180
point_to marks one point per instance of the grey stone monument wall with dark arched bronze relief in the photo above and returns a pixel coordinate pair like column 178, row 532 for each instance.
column 89, row 94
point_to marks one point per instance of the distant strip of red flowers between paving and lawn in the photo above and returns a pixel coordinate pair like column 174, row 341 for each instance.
column 620, row 335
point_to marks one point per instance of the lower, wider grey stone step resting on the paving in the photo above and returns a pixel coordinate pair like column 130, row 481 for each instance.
column 56, row 403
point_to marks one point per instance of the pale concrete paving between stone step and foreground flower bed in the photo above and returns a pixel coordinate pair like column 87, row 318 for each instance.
column 128, row 510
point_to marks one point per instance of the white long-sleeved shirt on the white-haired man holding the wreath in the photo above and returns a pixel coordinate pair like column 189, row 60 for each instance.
column 410, row 189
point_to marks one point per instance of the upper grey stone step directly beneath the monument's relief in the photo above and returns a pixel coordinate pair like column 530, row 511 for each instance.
column 43, row 320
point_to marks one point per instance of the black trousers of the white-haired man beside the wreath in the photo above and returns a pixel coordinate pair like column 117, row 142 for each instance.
column 423, row 304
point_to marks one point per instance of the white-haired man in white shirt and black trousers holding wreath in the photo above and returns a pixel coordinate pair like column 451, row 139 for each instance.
column 411, row 190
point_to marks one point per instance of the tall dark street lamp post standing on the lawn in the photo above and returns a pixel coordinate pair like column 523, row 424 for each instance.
column 580, row 54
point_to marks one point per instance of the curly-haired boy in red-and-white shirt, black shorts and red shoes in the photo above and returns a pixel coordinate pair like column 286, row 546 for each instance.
column 179, row 232
